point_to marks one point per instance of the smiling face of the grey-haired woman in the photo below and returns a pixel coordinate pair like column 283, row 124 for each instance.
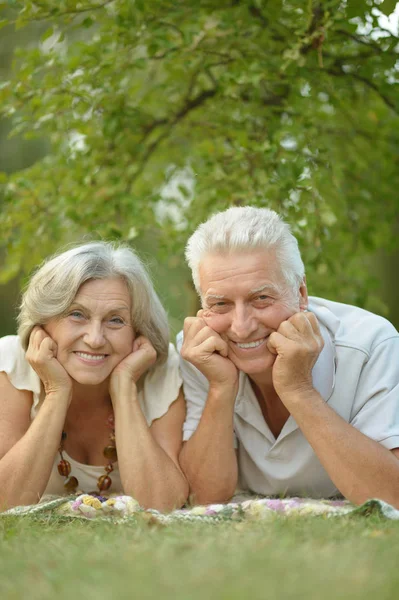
column 95, row 334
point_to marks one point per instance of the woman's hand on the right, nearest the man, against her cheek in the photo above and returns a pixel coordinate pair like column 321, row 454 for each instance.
column 131, row 368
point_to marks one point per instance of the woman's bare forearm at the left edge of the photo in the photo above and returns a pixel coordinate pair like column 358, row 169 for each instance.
column 25, row 469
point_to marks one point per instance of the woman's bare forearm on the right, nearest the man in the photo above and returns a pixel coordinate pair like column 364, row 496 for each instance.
column 147, row 472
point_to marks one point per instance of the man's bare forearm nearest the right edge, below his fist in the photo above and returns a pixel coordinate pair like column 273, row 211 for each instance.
column 360, row 467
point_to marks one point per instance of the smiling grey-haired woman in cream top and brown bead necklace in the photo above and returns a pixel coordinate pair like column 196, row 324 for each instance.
column 90, row 395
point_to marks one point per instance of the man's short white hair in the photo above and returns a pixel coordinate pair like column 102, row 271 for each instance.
column 246, row 228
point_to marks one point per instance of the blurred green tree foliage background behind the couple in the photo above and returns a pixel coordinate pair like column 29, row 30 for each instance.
column 135, row 120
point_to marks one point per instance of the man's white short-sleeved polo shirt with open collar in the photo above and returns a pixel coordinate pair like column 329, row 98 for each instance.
column 357, row 373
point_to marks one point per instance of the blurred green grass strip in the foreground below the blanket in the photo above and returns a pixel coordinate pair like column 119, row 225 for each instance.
column 356, row 558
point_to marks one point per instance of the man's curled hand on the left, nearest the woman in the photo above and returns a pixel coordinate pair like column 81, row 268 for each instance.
column 207, row 351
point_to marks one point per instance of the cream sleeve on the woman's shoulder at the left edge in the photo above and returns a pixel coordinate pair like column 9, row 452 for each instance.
column 14, row 363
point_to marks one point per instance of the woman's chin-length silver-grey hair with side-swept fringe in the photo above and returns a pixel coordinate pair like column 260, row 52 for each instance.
column 54, row 285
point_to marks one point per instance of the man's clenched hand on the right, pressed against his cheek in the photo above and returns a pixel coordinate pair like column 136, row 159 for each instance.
column 297, row 344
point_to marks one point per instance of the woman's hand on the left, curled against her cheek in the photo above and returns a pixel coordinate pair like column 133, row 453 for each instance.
column 42, row 357
